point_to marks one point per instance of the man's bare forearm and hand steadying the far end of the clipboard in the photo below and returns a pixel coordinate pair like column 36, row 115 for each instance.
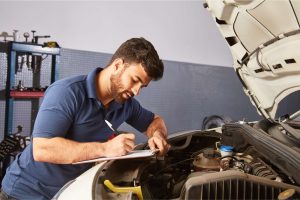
column 157, row 134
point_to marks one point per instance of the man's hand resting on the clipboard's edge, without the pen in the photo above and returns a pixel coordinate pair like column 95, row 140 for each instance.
column 158, row 141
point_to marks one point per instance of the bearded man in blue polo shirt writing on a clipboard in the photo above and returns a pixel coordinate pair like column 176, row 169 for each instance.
column 70, row 125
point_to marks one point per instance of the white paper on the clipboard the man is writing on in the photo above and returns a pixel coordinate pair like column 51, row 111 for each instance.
column 130, row 155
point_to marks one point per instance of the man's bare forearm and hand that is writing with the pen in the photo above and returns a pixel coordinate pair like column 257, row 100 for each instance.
column 59, row 150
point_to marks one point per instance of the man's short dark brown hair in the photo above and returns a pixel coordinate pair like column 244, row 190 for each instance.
column 139, row 50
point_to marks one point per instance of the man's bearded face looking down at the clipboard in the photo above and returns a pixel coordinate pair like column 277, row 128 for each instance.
column 128, row 81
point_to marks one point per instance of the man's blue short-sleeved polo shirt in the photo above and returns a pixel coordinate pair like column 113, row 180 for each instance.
column 70, row 110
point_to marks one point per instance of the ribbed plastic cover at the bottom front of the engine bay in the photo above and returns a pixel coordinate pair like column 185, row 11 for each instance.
column 232, row 185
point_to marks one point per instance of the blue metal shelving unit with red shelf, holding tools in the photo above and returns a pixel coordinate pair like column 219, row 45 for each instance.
column 16, row 51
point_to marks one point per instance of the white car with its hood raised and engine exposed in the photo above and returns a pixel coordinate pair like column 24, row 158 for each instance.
column 259, row 160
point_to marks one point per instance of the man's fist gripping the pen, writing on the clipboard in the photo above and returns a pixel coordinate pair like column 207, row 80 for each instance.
column 120, row 145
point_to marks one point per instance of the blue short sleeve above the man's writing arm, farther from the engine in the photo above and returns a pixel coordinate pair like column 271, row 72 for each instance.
column 56, row 113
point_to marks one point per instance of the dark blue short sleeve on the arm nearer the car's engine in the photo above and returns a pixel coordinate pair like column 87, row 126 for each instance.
column 139, row 117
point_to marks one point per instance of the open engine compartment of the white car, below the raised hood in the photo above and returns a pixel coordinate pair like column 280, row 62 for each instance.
column 195, row 168
